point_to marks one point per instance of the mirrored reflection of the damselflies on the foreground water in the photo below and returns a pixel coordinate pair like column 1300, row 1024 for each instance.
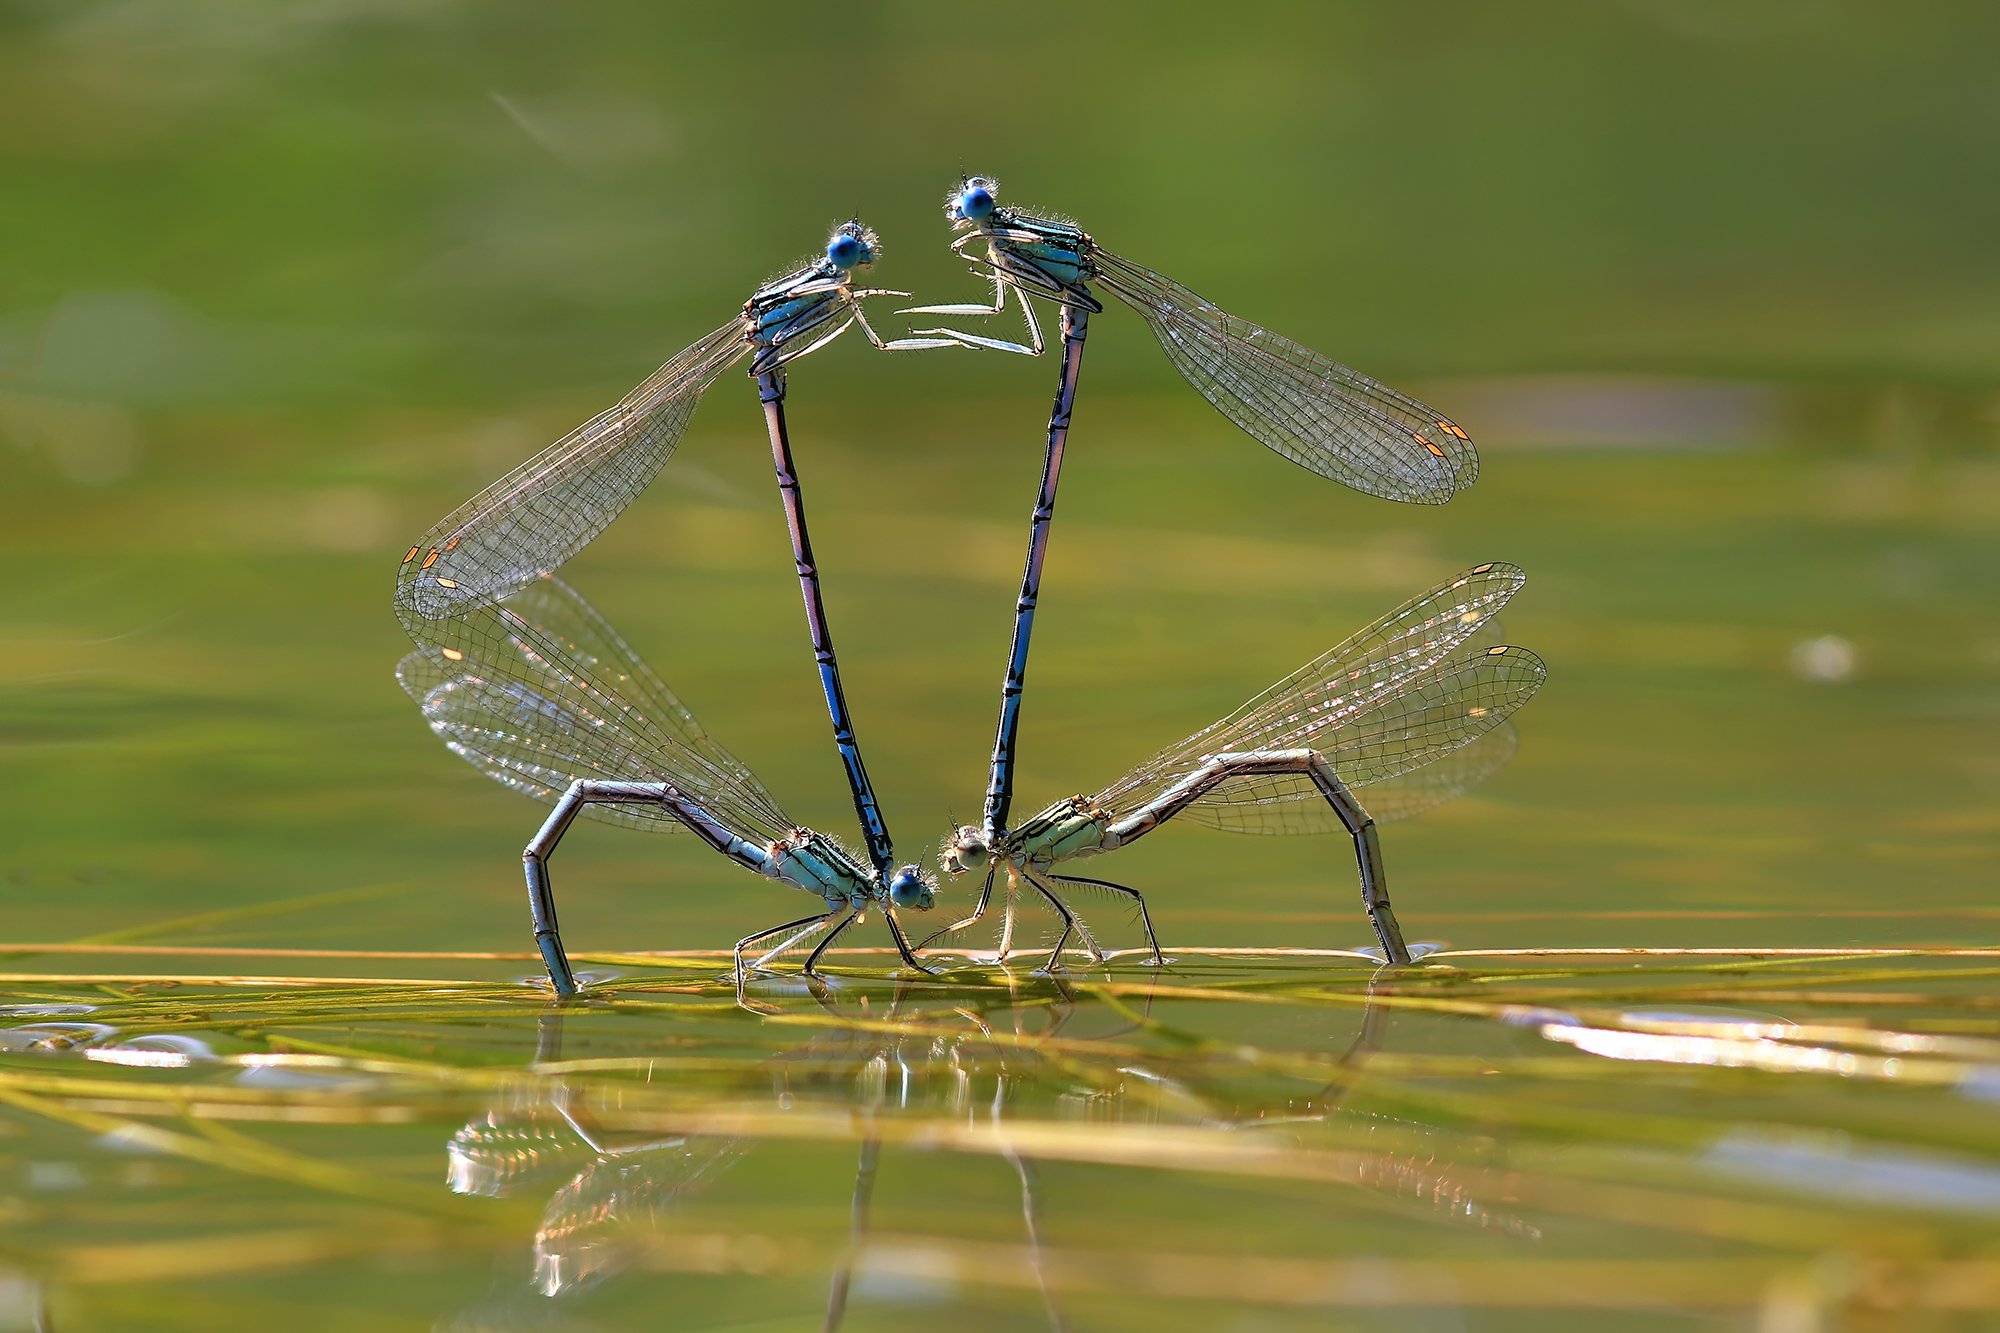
column 995, row 1068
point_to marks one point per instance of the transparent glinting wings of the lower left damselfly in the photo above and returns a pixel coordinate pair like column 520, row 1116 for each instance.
column 539, row 692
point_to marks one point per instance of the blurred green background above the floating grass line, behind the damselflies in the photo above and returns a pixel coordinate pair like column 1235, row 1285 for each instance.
column 1713, row 285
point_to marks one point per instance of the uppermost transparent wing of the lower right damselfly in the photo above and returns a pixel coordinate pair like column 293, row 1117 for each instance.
column 1339, row 688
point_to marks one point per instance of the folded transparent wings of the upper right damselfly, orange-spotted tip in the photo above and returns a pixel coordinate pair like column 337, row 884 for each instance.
column 1315, row 411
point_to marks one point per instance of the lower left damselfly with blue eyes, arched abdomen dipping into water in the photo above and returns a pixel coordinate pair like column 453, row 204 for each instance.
column 541, row 696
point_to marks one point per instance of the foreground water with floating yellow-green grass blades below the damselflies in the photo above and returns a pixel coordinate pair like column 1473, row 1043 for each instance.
column 1273, row 1136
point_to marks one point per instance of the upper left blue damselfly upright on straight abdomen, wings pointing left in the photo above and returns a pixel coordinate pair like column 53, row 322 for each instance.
column 551, row 507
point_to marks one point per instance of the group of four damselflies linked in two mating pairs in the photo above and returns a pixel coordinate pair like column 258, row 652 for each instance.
column 525, row 682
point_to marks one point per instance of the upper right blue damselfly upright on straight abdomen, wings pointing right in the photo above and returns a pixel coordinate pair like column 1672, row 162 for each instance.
column 1315, row 411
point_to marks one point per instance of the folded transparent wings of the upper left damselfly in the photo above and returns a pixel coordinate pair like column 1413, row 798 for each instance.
column 551, row 507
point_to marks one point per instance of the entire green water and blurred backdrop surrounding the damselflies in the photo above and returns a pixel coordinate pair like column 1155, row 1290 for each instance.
column 1711, row 1040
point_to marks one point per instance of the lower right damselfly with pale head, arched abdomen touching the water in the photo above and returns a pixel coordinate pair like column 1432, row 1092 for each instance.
column 1413, row 708
